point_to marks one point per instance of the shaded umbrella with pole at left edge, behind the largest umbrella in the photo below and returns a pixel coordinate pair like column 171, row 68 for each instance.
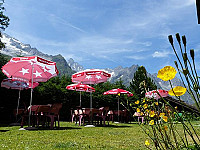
column 18, row 85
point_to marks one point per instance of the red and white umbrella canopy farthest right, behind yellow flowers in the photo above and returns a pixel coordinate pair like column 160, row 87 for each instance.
column 154, row 94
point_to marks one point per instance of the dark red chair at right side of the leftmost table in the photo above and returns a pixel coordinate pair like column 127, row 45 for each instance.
column 54, row 114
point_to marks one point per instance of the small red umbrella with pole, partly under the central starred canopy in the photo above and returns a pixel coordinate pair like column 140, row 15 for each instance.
column 80, row 87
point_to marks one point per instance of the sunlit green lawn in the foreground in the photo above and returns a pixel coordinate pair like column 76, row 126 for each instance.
column 70, row 136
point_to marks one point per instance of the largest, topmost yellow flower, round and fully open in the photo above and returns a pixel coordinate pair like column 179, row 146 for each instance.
column 167, row 73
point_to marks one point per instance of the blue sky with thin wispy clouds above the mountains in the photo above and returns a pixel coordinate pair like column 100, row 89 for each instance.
column 105, row 33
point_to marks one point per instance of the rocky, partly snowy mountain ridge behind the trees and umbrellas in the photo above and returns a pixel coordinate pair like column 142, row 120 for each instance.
column 14, row 47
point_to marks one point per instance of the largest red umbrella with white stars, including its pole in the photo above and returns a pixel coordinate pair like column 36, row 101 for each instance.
column 30, row 69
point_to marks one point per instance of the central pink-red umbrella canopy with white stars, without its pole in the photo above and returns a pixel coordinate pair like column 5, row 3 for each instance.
column 90, row 76
